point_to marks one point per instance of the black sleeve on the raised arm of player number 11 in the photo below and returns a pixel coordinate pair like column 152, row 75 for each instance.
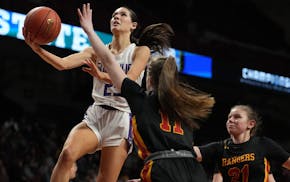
column 134, row 95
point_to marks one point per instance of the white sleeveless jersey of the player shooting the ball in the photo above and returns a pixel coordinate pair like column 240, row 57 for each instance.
column 107, row 94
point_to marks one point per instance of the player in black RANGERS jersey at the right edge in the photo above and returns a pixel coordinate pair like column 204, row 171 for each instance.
column 244, row 157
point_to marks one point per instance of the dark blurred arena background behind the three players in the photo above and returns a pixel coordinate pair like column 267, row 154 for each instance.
column 247, row 42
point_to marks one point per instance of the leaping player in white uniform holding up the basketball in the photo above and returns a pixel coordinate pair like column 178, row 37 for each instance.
column 106, row 123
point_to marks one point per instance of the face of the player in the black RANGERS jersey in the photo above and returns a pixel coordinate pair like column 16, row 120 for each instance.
column 238, row 122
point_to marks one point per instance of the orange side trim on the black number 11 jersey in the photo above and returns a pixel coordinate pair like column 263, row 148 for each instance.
column 142, row 149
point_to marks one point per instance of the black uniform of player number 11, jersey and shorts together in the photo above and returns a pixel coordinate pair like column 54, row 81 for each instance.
column 154, row 132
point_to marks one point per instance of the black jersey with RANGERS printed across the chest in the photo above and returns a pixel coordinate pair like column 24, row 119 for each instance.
column 246, row 162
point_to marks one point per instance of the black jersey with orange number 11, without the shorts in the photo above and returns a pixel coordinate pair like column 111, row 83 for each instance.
column 154, row 131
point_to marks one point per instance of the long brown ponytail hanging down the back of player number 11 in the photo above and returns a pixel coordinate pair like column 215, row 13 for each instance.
column 179, row 101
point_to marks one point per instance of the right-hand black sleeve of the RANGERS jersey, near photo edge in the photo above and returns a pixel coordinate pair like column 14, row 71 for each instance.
column 274, row 151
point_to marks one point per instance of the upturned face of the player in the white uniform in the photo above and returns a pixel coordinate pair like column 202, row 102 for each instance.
column 121, row 21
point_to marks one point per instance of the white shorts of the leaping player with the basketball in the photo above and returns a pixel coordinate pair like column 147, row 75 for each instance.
column 110, row 126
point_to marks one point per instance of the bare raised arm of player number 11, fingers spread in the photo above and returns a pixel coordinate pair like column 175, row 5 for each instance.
column 108, row 60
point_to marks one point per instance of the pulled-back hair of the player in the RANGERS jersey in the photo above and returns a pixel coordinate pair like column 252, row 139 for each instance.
column 252, row 115
